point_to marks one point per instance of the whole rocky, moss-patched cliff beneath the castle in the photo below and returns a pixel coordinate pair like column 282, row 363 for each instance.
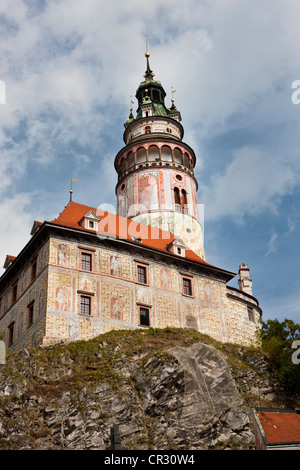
column 165, row 389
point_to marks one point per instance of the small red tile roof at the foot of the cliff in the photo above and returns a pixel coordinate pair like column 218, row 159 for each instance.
column 280, row 427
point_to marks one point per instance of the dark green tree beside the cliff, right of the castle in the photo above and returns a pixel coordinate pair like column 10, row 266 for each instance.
column 278, row 341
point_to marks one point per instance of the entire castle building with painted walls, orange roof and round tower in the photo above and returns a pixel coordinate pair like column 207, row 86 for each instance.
column 90, row 271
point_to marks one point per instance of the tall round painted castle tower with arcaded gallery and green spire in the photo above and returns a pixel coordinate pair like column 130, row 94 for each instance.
column 156, row 183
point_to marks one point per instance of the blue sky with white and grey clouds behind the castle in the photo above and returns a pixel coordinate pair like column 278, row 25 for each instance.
column 69, row 68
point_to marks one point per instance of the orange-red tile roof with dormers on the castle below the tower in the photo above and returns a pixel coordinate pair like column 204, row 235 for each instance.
column 112, row 225
